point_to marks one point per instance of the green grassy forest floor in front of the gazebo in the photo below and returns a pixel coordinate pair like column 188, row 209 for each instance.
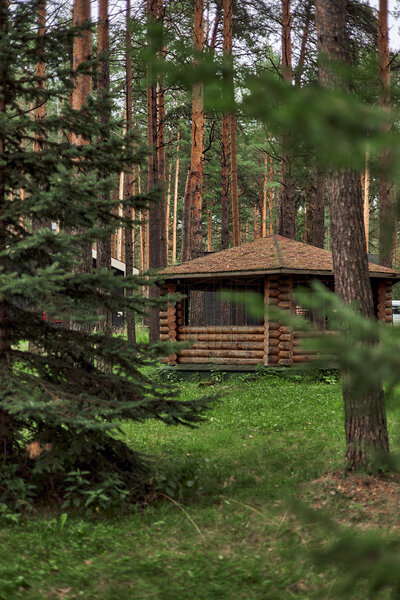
column 231, row 519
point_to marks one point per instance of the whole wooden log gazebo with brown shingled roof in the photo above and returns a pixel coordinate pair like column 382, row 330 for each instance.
column 224, row 332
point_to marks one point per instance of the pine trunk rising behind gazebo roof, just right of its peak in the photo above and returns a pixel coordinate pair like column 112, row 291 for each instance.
column 287, row 208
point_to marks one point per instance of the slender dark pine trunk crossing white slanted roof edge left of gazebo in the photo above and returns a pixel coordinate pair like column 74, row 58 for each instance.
column 128, row 191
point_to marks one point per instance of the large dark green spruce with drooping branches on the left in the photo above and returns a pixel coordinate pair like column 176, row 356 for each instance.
column 59, row 407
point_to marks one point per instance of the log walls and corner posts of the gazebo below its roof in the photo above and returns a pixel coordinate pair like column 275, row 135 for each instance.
column 270, row 344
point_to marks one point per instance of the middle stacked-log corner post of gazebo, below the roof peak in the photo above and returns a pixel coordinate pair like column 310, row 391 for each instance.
column 278, row 338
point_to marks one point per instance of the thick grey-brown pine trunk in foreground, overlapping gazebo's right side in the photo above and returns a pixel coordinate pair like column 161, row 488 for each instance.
column 365, row 419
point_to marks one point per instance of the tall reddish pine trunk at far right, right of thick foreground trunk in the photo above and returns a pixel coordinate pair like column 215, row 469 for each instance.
column 386, row 214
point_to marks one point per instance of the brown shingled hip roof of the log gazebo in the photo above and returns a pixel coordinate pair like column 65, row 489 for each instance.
column 274, row 254
